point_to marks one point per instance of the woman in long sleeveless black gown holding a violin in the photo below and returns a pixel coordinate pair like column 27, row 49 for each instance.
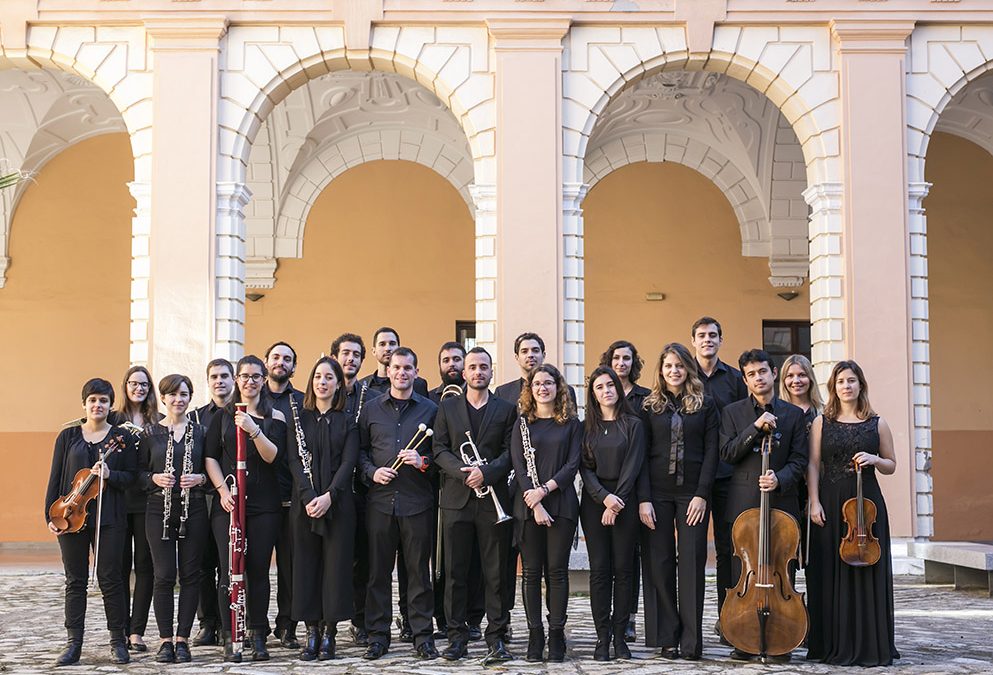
column 850, row 579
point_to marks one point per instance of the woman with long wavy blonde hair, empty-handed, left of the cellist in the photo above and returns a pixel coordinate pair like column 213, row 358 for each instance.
column 682, row 429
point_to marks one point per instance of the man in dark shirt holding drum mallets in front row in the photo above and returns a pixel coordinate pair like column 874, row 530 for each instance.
column 399, row 514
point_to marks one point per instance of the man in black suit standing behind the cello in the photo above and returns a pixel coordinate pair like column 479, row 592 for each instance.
column 744, row 424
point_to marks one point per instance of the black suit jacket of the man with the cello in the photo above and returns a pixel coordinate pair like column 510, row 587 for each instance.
column 740, row 447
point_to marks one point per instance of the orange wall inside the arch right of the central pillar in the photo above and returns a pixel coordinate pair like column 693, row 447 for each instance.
column 666, row 228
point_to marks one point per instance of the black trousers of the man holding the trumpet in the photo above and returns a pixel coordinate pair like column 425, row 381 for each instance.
column 471, row 533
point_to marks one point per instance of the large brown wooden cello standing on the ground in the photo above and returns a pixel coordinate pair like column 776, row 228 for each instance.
column 763, row 614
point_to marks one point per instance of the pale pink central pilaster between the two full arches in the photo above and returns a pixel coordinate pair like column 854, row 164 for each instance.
column 530, row 263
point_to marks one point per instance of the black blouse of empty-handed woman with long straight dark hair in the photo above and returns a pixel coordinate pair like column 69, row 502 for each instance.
column 618, row 455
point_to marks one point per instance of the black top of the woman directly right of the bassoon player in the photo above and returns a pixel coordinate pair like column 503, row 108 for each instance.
column 334, row 453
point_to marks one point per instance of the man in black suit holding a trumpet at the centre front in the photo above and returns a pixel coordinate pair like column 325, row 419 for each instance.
column 466, row 518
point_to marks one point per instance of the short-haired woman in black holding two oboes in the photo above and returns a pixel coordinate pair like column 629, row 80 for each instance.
column 171, row 469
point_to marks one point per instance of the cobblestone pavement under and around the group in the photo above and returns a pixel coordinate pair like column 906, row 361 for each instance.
column 938, row 631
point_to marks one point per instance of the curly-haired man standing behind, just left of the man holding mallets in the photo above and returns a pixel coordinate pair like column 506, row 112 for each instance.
column 348, row 350
